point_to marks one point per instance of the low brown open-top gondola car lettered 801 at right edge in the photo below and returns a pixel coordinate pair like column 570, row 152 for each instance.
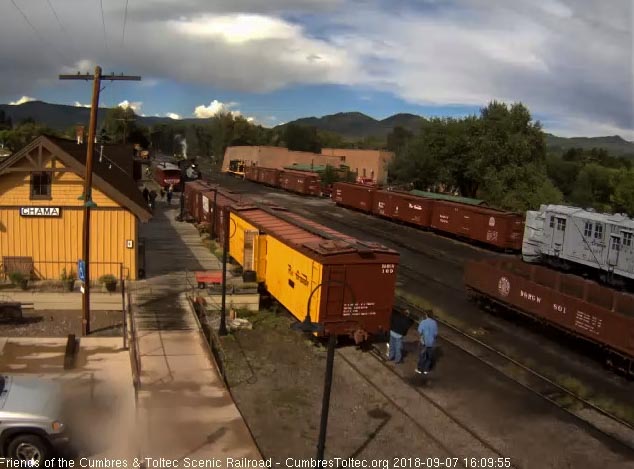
column 579, row 306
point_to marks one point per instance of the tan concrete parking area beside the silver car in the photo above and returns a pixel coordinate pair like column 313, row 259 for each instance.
column 98, row 392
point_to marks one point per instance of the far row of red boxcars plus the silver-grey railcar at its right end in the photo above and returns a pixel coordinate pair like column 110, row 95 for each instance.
column 566, row 238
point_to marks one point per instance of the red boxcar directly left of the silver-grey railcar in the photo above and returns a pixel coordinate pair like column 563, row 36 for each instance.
column 493, row 227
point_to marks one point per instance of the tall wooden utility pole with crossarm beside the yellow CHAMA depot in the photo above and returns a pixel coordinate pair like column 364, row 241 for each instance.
column 96, row 78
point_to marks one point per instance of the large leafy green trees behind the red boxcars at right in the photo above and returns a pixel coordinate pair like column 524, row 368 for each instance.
column 500, row 156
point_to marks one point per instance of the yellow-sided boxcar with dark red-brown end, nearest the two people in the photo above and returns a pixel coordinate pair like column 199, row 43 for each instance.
column 351, row 285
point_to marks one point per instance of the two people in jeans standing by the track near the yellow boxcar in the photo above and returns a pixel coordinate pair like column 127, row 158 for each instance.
column 427, row 330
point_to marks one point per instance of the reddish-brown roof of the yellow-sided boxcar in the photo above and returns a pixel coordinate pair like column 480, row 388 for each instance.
column 290, row 233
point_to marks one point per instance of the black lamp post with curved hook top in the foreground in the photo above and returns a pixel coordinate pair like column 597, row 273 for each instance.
column 308, row 326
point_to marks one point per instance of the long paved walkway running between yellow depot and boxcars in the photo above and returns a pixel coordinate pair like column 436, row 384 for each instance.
column 184, row 408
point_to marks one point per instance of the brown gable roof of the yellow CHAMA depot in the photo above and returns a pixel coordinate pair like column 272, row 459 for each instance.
column 110, row 176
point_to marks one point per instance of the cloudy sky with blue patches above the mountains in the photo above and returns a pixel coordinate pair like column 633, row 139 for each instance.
column 569, row 61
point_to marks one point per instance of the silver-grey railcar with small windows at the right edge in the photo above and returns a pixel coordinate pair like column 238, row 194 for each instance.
column 581, row 241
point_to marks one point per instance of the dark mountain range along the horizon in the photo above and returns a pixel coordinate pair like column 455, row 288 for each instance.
column 351, row 125
